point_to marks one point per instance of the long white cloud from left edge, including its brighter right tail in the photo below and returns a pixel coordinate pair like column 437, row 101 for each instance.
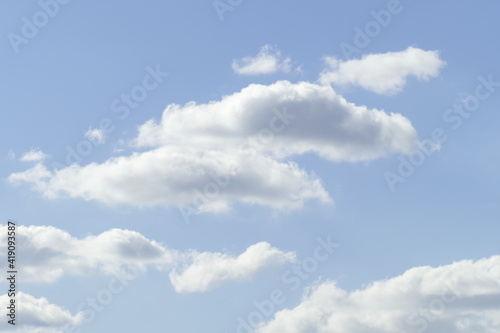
column 48, row 253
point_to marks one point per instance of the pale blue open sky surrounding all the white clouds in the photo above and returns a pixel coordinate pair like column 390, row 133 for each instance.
column 64, row 80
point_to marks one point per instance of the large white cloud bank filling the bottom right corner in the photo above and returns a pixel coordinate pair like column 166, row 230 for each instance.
column 457, row 298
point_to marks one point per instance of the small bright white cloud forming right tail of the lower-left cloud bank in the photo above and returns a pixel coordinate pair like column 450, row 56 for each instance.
column 207, row 270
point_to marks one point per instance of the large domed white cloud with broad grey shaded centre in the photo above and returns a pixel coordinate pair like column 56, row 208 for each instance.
column 297, row 118
